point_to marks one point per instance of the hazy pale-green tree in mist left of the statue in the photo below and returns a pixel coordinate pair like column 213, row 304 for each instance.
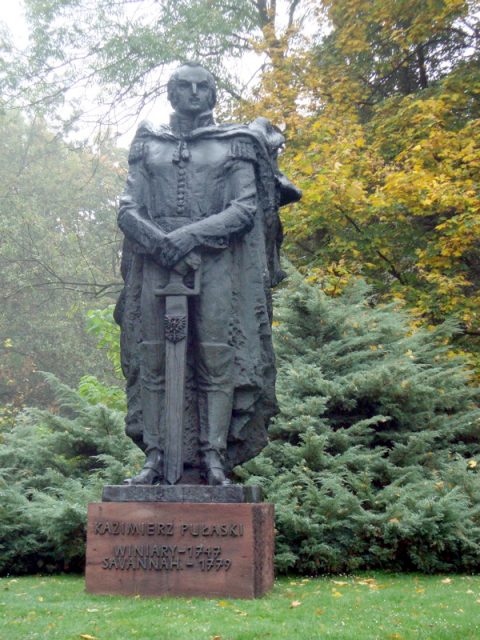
column 58, row 253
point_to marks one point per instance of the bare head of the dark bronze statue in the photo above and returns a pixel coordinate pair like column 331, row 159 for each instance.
column 191, row 89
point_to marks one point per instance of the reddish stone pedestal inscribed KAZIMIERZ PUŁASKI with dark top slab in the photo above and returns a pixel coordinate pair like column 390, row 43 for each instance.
column 196, row 545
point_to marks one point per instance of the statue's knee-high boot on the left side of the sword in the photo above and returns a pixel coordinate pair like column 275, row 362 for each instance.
column 153, row 405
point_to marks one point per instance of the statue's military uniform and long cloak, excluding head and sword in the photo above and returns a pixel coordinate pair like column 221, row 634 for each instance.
column 202, row 185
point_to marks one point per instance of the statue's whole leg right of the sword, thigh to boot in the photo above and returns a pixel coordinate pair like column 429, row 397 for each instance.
column 214, row 363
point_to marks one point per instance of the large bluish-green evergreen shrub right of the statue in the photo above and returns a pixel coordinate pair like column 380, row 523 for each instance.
column 373, row 459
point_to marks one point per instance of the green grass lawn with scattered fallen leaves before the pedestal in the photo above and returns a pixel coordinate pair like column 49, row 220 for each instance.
column 366, row 606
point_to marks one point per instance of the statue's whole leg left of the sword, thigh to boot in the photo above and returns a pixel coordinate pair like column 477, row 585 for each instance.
column 152, row 375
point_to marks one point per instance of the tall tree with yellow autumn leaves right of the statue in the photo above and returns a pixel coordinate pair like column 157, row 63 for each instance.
column 389, row 167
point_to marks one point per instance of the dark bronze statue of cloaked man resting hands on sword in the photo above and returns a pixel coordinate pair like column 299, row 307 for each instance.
column 202, row 235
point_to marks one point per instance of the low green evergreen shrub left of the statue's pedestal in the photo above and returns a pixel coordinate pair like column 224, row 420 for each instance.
column 52, row 464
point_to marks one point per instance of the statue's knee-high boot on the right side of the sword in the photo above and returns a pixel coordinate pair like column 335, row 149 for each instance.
column 215, row 401
